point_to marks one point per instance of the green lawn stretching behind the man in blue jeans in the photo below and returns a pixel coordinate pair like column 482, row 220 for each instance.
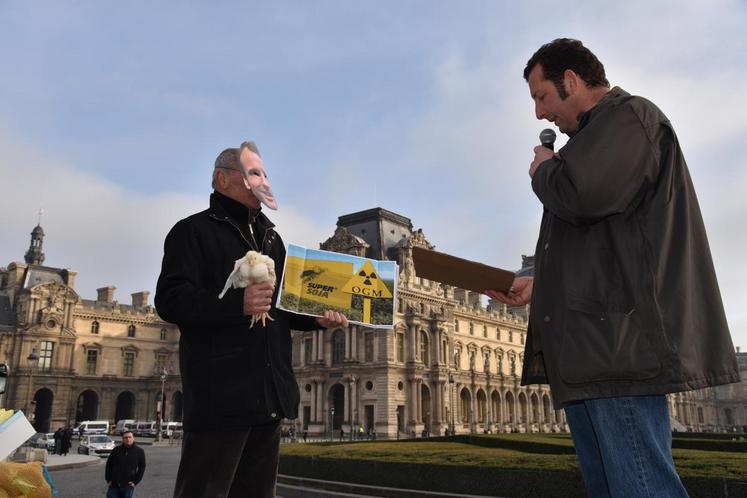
column 694, row 456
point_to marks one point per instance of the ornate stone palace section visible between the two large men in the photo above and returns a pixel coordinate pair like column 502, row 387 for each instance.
column 449, row 363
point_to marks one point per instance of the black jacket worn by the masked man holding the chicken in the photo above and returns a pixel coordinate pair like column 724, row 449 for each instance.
column 232, row 376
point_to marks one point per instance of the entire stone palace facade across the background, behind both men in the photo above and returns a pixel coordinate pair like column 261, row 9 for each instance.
column 451, row 363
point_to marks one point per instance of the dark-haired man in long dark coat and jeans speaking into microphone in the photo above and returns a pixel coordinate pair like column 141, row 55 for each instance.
column 625, row 305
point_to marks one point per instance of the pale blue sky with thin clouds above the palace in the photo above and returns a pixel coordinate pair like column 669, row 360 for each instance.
column 112, row 114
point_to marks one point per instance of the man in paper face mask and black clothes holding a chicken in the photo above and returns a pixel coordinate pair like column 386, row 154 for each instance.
column 238, row 381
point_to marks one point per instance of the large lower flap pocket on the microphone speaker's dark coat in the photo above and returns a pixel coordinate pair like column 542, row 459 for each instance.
column 604, row 343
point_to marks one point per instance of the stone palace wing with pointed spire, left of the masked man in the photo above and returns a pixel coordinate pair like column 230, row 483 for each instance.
column 90, row 359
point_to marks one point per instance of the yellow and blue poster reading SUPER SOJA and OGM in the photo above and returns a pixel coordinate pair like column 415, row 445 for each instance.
column 363, row 289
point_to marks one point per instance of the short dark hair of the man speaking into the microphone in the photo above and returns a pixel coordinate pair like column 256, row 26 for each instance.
column 566, row 53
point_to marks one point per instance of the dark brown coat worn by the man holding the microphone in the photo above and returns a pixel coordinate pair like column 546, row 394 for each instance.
column 625, row 298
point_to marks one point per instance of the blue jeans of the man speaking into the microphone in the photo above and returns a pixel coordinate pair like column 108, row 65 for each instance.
column 624, row 446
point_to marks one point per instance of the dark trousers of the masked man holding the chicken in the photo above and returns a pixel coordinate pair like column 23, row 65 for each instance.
column 229, row 463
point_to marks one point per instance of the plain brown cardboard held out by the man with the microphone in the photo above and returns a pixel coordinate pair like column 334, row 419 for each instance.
column 459, row 272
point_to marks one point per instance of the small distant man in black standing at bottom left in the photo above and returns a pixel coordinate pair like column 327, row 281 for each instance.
column 124, row 468
